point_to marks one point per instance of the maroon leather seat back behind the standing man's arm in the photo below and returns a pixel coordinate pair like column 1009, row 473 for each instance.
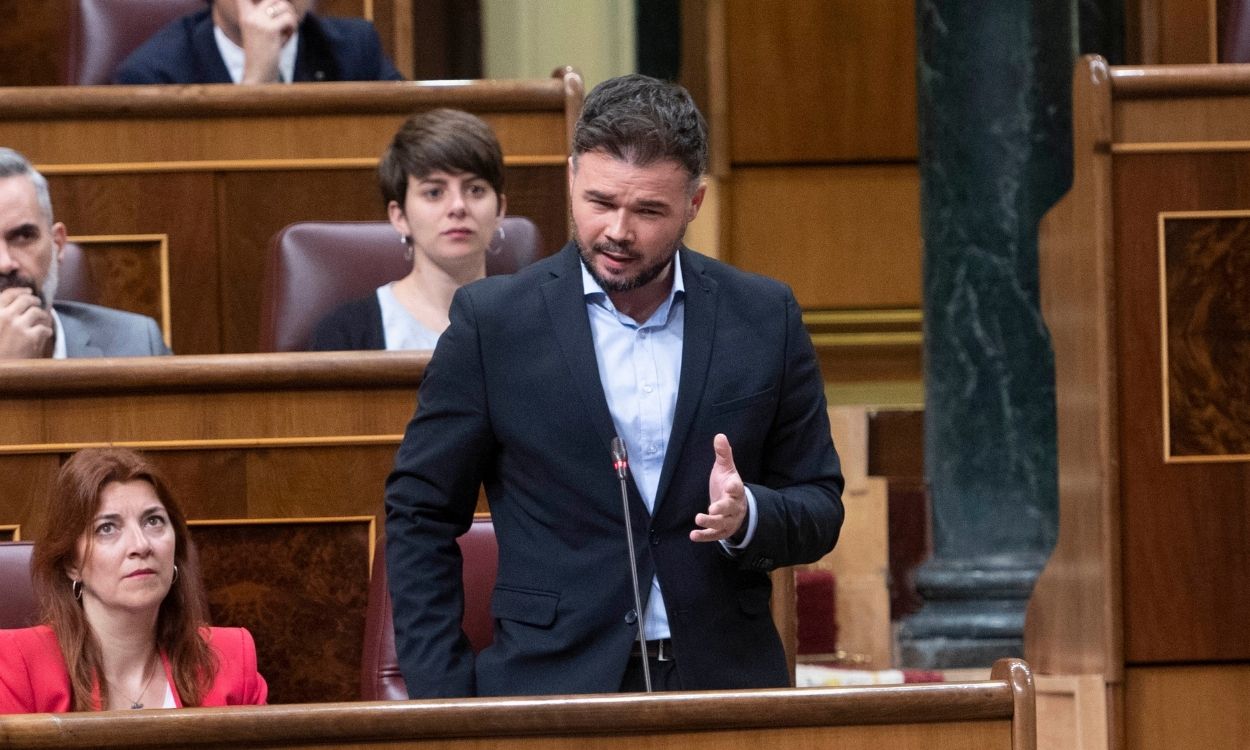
column 381, row 678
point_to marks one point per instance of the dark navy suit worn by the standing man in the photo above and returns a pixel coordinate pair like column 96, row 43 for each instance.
column 513, row 401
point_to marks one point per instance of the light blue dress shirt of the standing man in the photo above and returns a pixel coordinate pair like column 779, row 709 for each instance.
column 641, row 369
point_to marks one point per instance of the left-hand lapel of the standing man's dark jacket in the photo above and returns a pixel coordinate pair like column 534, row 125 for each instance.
column 567, row 306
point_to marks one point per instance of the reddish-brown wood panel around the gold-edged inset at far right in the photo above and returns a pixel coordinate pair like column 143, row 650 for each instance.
column 1187, row 528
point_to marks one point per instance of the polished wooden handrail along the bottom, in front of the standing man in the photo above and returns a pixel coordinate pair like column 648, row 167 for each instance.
column 529, row 717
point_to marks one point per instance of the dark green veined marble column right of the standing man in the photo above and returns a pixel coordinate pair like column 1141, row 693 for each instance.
column 994, row 109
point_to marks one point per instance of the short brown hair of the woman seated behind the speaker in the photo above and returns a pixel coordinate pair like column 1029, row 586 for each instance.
column 441, row 141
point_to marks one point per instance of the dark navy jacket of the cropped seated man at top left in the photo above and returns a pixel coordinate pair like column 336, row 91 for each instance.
column 331, row 49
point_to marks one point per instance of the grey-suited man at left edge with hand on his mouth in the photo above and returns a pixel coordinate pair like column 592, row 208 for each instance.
column 31, row 246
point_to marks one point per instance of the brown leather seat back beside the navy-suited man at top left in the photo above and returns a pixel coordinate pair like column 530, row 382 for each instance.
column 103, row 33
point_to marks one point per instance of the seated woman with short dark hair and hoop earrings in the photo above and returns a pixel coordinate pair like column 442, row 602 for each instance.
column 443, row 182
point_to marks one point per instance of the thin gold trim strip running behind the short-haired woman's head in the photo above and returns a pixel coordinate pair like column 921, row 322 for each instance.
column 262, row 166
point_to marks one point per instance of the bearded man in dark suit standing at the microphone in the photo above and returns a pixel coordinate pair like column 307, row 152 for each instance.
column 704, row 372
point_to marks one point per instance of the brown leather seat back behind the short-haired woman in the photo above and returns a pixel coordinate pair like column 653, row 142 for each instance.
column 314, row 267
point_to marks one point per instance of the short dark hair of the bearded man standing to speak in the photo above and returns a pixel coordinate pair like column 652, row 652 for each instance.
column 643, row 121
